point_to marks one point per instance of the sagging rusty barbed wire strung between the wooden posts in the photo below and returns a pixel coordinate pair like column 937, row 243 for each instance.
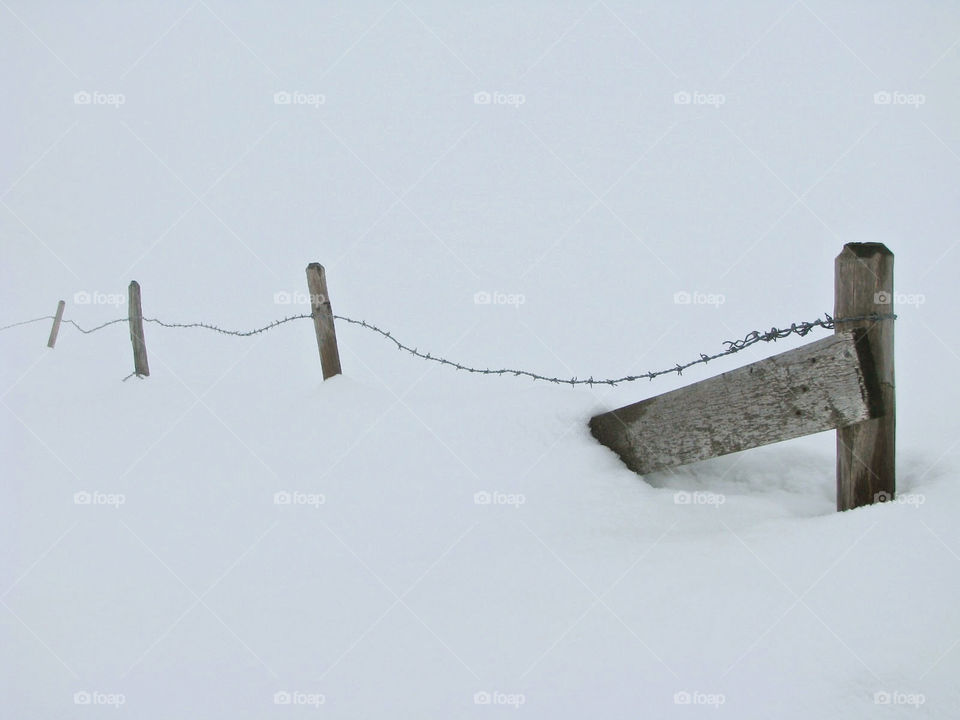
column 733, row 346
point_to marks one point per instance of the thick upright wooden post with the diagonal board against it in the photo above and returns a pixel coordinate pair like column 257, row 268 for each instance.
column 866, row 450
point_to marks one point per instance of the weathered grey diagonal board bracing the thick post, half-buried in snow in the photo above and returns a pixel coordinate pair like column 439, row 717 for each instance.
column 821, row 386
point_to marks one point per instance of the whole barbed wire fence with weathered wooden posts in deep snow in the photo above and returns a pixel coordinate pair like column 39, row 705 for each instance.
column 851, row 391
